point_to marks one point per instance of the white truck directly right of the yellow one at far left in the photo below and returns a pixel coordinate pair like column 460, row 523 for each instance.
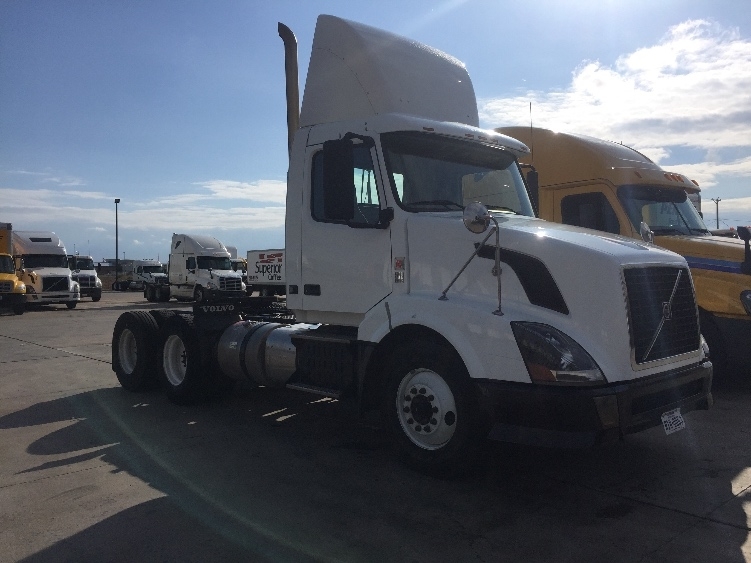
column 42, row 264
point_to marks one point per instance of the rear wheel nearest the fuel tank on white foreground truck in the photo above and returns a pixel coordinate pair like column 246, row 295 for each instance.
column 180, row 368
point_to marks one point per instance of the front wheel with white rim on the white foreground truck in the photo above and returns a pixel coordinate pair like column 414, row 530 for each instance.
column 431, row 410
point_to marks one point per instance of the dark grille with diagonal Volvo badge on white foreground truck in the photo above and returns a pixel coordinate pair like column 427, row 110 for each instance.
column 662, row 312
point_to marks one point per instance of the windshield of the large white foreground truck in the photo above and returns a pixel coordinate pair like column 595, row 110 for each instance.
column 433, row 173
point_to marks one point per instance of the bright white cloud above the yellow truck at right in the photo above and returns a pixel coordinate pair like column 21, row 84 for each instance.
column 690, row 90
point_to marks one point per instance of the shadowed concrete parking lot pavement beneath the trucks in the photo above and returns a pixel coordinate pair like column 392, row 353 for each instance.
column 90, row 472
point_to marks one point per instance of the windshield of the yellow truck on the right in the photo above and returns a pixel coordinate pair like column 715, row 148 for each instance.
column 666, row 211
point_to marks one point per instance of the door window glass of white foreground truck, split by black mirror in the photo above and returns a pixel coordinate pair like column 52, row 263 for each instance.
column 364, row 189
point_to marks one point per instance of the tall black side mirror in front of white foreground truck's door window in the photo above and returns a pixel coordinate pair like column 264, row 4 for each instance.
column 338, row 180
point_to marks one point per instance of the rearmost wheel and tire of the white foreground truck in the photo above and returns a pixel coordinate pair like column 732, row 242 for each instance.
column 134, row 350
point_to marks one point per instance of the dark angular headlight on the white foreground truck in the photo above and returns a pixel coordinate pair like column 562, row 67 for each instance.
column 553, row 357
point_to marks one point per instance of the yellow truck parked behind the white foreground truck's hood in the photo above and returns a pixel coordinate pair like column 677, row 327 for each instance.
column 610, row 187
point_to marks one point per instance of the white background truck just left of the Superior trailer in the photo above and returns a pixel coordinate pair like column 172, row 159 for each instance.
column 200, row 270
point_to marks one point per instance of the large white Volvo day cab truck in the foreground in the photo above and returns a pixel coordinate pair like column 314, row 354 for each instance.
column 419, row 282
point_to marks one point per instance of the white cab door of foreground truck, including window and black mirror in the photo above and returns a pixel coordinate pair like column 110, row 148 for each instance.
column 346, row 234
